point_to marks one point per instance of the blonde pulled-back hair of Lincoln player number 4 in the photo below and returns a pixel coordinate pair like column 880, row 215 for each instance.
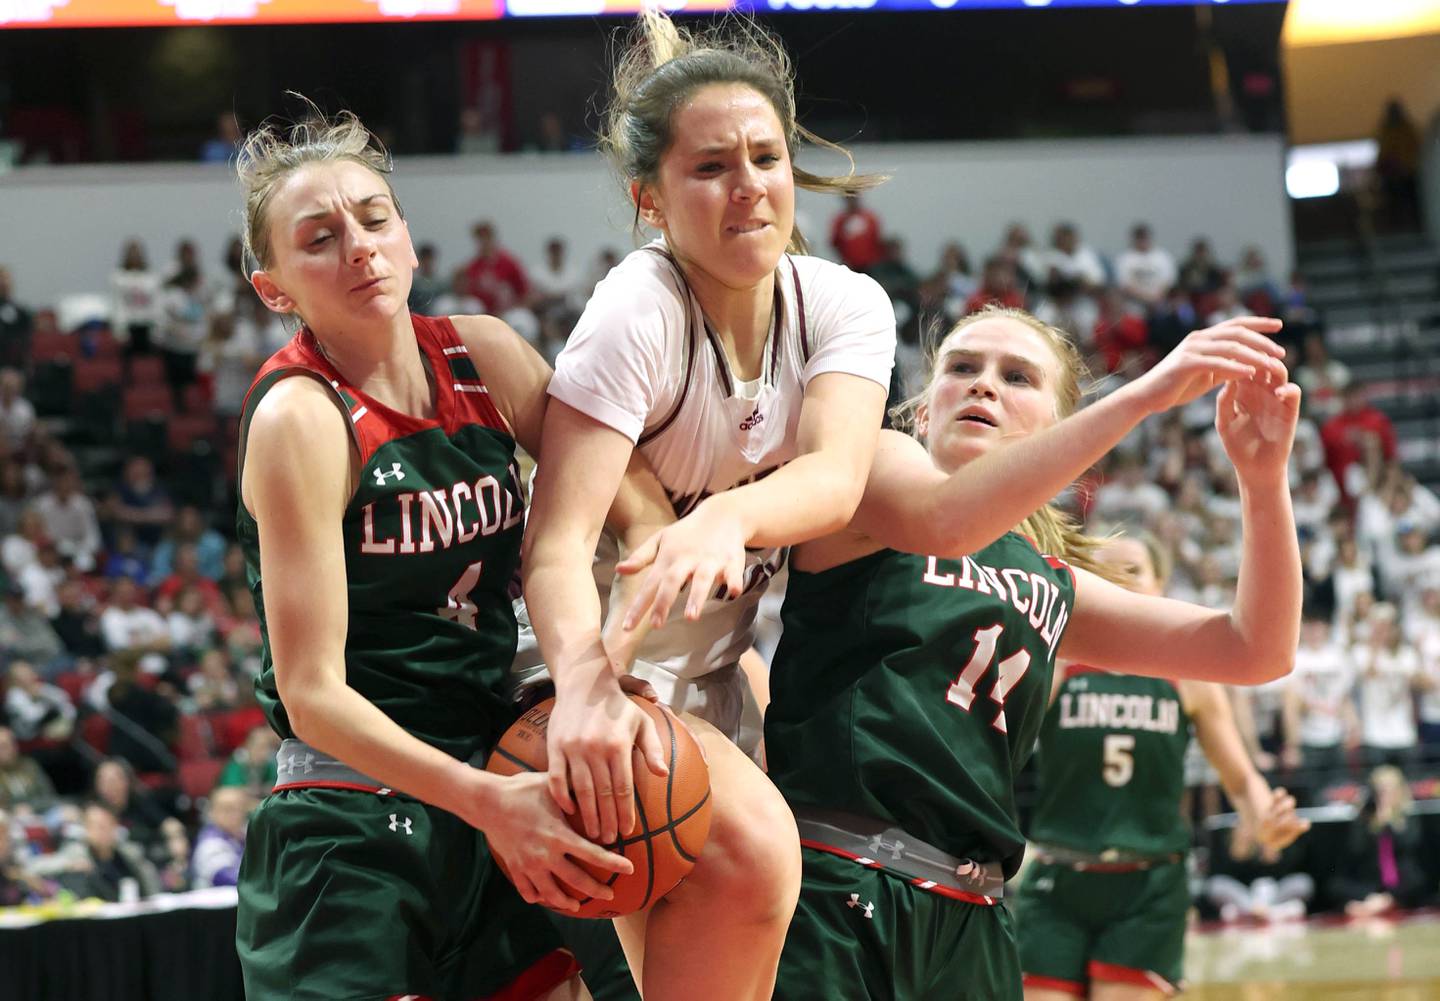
column 276, row 151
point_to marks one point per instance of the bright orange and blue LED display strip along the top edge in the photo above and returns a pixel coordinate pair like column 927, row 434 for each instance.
column 155, row 14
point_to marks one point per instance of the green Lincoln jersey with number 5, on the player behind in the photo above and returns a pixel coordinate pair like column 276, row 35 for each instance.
column 1112, row 751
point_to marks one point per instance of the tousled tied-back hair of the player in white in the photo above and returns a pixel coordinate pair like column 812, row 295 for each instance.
column 659, row 66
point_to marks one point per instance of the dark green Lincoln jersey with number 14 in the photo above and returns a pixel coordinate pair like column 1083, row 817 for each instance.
column 911, row 689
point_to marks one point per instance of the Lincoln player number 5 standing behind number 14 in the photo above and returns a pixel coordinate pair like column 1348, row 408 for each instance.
column 1102, row 908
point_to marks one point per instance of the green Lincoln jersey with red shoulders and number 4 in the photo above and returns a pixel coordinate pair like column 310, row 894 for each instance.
column 433, row 542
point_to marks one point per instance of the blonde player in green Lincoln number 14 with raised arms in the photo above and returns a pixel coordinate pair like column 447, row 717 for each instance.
column 912, row 675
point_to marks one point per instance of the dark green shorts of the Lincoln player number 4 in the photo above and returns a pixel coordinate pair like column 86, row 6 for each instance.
column 355, row 897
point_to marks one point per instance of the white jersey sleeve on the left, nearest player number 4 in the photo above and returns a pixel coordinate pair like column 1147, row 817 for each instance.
column 613, row 369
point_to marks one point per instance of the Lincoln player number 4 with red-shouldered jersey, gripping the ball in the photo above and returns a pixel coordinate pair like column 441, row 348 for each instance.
column 382, row 518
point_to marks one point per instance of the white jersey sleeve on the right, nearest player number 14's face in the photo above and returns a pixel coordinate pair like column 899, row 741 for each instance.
column 852, row 326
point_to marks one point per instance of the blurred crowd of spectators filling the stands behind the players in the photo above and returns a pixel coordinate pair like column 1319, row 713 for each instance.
column 132, row 748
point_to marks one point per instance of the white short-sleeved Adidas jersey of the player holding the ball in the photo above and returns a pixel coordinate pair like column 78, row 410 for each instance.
column 644, row 362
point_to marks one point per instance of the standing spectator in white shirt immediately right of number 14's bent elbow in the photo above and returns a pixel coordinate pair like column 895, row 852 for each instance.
column 1320, row 708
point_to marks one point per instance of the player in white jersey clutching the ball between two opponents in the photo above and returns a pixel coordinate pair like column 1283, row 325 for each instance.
column 754, row 381
